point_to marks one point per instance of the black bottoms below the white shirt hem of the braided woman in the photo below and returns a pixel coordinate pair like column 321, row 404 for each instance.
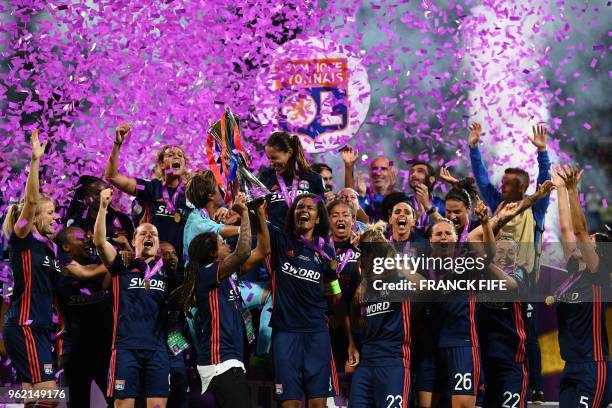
column 231, row 389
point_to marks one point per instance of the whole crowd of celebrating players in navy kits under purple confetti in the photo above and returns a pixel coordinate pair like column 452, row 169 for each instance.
column 186, row 271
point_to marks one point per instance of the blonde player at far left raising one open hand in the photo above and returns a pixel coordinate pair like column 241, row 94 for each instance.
column 30, row 227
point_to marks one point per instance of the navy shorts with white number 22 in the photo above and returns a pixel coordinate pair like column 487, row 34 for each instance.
column 507, row 384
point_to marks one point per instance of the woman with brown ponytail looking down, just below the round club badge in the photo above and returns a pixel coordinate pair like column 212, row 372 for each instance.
column 288, row 176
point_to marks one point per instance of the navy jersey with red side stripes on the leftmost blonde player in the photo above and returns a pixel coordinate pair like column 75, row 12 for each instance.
column 35, row 273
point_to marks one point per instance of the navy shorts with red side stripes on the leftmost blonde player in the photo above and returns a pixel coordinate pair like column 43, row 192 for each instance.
column 31, row 353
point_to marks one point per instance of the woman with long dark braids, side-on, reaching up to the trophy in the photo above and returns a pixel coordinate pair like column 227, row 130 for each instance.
column 222, row 320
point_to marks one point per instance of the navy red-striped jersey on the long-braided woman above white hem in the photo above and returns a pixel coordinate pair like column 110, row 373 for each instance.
column 220, row 312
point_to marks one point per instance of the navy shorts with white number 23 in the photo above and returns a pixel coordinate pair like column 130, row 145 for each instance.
column 380, row 387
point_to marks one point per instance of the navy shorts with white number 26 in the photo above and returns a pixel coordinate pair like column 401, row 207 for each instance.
column 457, row 370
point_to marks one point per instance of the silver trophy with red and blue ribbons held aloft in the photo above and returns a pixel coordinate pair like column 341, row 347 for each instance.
column 225, row 134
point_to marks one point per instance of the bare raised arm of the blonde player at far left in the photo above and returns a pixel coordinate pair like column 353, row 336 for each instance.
column 23, row 226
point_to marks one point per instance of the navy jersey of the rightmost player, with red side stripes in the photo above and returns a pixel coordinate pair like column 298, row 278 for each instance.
column 582, row 319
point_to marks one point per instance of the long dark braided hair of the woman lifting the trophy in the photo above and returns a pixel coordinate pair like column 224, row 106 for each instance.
column 202, row 251
